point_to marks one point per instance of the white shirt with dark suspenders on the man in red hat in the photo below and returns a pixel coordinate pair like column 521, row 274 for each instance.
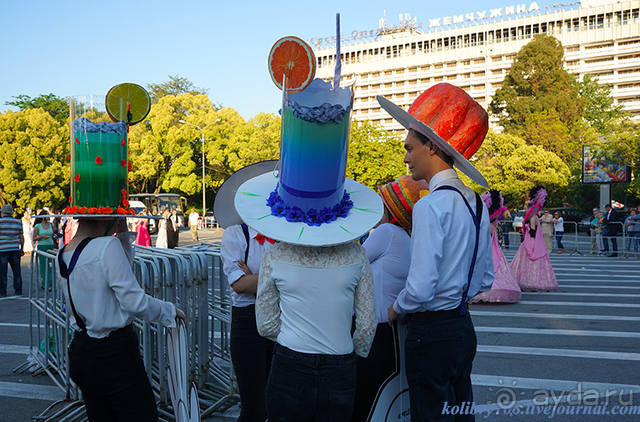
column 442, row 241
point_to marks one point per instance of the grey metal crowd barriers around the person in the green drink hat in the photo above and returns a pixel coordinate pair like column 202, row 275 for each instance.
column 192, row 278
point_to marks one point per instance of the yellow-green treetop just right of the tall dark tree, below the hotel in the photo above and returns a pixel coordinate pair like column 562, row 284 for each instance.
column 599, row 111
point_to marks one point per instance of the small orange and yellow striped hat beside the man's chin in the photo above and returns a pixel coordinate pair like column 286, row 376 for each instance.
column 401, row 195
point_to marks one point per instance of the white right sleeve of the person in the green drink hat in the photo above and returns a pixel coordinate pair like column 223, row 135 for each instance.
column 131, row 297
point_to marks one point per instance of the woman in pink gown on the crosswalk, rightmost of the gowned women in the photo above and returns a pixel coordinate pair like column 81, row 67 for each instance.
column 531, row 266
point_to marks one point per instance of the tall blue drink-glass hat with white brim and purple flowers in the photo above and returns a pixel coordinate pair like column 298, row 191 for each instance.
column 309, row 201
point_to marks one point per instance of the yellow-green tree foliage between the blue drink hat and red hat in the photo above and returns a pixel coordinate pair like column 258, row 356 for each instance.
column 375, row 155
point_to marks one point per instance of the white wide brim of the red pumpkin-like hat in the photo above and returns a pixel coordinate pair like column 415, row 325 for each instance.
column 410, row 122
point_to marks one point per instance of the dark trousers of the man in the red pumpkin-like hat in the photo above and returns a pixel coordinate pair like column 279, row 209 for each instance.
column 439, row 355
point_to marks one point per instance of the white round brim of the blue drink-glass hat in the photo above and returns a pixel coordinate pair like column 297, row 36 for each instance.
column 251, row 204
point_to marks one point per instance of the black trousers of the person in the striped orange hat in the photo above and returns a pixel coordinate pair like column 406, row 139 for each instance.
column 373, row 370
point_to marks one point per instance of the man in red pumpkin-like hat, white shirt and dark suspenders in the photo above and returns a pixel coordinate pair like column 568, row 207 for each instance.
column 450, row 251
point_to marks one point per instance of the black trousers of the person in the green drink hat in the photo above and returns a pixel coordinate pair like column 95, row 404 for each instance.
column 111, row 376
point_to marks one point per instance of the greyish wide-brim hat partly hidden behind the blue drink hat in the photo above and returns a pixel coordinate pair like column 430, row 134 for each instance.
column 224, row 209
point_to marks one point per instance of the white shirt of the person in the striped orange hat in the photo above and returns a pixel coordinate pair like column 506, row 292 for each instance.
column 388, row 249
